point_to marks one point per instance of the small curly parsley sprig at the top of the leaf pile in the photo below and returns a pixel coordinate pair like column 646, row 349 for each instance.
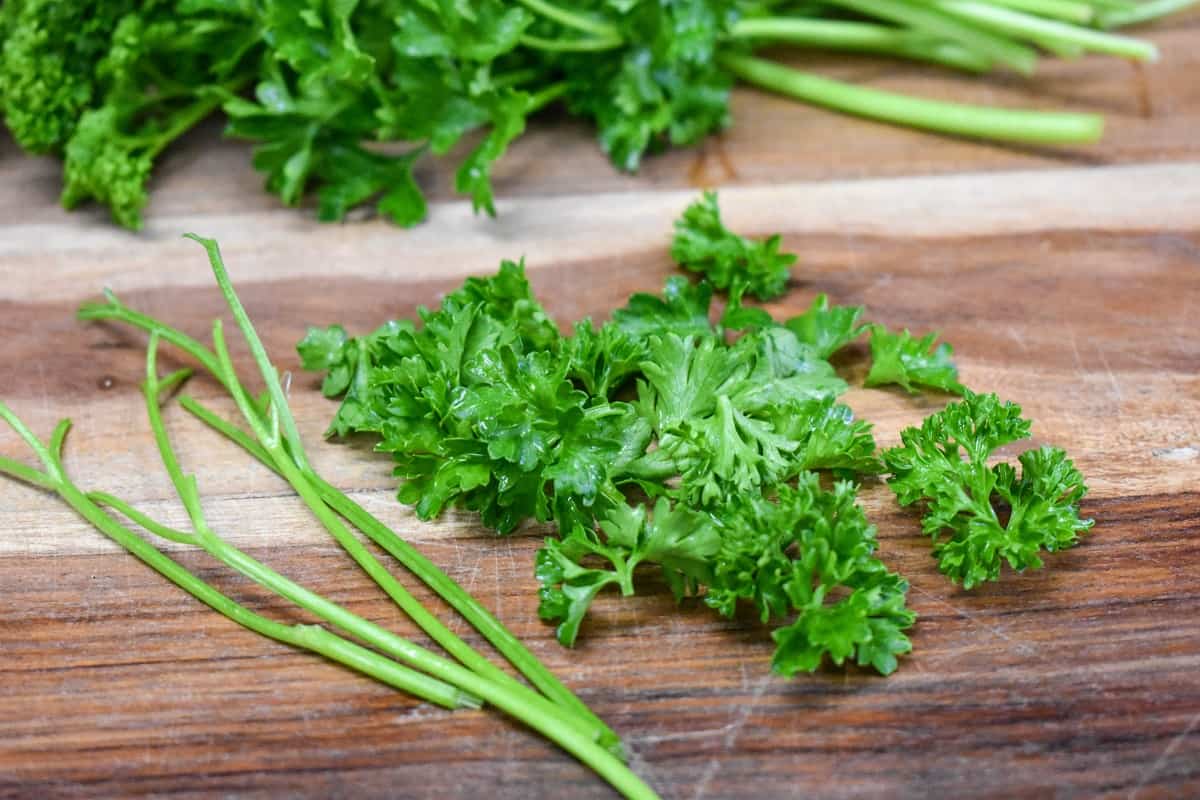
column 703, row 244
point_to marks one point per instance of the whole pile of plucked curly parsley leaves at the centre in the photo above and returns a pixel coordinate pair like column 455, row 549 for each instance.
column 662, row 441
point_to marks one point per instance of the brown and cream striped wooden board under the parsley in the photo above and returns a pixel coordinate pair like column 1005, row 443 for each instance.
column 1069, row 281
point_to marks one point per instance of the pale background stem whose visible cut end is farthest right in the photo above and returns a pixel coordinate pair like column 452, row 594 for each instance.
column 1048, row 32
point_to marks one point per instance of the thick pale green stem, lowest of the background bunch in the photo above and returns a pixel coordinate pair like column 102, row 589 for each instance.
column 976, row 122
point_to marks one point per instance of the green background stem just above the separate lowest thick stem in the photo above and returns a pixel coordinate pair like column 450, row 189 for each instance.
column 860, row 38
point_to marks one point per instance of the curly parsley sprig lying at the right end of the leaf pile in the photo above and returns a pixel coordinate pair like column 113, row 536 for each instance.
column 982, row 516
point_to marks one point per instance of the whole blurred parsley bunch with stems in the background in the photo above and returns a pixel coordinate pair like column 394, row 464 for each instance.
column 319, row 87
